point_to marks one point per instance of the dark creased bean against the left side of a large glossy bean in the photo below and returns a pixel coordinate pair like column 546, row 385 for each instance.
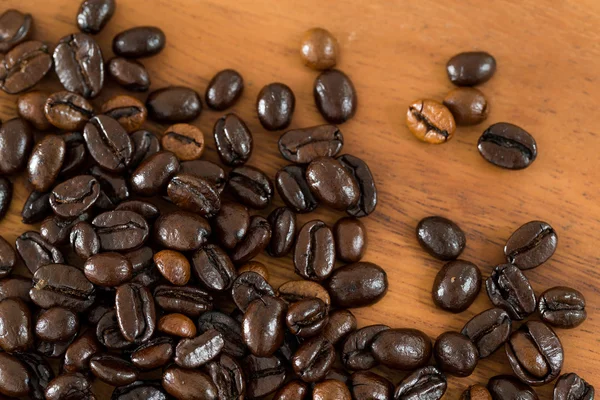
column 294, row 190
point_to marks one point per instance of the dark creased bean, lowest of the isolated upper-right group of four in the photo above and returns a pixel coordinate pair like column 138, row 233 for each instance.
column 507, row 146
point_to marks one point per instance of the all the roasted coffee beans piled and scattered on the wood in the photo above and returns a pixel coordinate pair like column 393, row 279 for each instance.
column 141, row 274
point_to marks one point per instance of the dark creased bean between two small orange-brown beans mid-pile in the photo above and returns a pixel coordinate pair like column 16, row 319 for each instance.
column 213, row 267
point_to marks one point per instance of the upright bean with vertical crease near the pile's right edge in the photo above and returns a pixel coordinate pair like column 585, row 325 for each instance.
column 314, row 253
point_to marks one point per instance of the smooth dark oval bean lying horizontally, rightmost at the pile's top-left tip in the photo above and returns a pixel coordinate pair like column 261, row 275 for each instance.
column 141, row 41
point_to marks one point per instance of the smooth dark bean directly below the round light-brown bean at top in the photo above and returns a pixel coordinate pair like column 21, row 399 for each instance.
column 335, row 96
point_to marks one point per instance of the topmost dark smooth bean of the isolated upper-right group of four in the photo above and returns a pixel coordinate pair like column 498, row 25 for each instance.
column 471, row 68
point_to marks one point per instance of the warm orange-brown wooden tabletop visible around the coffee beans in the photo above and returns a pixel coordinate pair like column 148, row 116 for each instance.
column 547, row 81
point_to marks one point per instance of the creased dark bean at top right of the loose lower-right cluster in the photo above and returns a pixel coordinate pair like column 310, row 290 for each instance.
column 531, row 245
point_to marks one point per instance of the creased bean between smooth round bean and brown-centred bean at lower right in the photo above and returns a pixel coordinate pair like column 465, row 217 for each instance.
column 488, row 330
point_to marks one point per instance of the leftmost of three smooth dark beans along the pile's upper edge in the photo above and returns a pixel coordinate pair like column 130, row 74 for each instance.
column 224, row 89
